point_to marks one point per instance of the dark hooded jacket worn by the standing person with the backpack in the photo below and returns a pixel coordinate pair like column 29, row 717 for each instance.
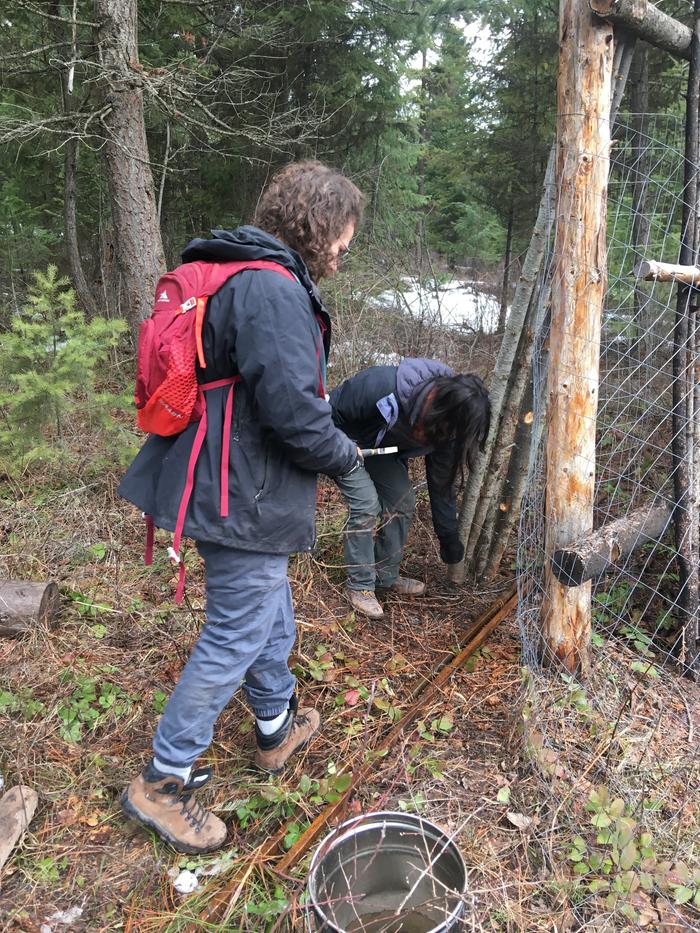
column 266, row 328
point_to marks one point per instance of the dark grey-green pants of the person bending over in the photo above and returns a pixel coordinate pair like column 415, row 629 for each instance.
column 380, row 489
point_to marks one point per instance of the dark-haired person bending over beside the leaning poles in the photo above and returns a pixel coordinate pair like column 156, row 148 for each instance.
column 422, row 407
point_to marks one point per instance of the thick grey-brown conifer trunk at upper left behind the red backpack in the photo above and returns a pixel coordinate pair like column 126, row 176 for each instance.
column 138, row 241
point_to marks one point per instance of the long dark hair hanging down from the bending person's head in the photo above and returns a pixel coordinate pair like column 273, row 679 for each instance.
column 459, row 412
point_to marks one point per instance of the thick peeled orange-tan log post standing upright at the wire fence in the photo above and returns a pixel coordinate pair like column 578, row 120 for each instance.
column 578, row 288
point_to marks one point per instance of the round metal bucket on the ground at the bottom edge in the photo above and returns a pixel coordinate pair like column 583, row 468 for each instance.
column 385, row 873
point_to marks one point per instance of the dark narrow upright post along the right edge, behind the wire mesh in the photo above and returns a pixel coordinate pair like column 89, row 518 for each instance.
column 686, row 437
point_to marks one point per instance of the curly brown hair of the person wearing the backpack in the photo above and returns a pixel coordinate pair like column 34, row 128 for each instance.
column 308, row 205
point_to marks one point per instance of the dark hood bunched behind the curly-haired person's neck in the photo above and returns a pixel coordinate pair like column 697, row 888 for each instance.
column 245, row 244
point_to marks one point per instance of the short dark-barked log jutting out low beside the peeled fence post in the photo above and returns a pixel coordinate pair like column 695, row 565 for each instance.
column 598, row 551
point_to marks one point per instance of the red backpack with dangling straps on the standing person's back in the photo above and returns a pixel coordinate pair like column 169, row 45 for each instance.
column 167, row 395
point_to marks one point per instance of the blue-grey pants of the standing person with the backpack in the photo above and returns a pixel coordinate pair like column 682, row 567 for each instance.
column 246, row 641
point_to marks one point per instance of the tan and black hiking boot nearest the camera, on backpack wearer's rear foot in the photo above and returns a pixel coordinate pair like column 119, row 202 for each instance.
column 164, row 802
